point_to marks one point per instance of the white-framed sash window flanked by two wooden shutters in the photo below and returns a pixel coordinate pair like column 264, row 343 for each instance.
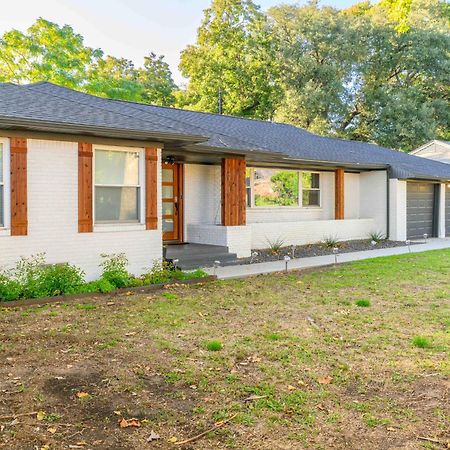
column 118, row 185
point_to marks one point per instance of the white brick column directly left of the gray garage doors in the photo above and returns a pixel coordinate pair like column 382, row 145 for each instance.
column 397, row 210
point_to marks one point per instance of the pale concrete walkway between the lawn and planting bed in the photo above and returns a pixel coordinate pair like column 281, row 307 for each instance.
column 246, row 270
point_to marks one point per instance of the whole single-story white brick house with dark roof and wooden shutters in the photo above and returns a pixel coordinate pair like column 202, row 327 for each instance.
column 82, row 175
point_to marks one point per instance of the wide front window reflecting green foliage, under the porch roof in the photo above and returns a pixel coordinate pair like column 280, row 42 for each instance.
column 282, row 188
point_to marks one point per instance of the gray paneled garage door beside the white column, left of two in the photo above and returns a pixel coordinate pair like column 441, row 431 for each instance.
column 420, row 205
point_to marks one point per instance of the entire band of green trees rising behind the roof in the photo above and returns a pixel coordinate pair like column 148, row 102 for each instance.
column 373, row 72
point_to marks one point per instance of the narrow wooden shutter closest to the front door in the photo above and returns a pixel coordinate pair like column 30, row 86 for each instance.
column 151, row 188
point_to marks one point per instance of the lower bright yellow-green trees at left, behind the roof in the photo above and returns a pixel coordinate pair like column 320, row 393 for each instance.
column 49, row 52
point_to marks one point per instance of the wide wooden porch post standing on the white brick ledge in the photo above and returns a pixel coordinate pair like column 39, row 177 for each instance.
column 234, row 199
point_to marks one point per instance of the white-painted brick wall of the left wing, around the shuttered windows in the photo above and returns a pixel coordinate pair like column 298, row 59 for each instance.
column 53, row 218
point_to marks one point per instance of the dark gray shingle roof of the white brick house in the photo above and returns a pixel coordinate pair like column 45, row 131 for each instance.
column 46, row 101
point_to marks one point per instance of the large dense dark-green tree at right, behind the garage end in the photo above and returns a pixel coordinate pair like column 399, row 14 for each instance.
column 353, row 74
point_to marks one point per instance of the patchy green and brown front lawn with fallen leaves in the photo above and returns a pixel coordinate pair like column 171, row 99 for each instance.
column 353, row 357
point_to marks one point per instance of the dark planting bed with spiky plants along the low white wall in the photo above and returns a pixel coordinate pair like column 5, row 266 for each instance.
column 318, row 249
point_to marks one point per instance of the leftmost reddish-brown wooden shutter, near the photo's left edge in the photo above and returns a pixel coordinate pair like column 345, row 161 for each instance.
column 19, row 201
